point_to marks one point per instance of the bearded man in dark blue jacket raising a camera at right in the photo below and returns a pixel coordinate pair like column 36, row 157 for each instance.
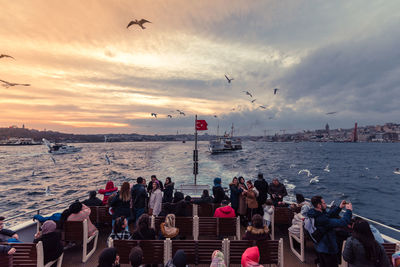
column 325, row 222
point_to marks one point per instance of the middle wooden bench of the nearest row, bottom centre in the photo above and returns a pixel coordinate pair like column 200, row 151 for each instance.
column 196, row 251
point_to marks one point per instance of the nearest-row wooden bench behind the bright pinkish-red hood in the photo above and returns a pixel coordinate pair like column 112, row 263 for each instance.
column 271, row 251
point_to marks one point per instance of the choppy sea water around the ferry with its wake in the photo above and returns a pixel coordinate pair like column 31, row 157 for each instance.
column 361, row 173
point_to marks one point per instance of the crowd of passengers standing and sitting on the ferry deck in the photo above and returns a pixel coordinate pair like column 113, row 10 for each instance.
column 254, row 203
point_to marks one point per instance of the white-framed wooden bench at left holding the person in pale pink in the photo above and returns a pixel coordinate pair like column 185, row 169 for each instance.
column 78, row 232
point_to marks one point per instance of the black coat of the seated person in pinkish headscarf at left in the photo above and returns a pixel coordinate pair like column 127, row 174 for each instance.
column 52, row 246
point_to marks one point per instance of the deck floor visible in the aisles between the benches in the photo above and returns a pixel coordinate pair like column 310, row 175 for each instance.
column 73, row 256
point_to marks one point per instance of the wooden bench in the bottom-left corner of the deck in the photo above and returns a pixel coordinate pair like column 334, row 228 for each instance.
column 27, row 255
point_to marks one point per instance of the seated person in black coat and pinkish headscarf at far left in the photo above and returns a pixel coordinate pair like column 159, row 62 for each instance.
column 51, row 239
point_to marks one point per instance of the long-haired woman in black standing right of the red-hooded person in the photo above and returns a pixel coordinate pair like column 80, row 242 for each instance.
column 121, row 203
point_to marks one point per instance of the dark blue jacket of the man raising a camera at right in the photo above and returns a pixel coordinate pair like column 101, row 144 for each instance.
column 326, row 222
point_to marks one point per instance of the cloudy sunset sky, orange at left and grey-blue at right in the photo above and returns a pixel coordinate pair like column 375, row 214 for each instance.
column 90, row 74
